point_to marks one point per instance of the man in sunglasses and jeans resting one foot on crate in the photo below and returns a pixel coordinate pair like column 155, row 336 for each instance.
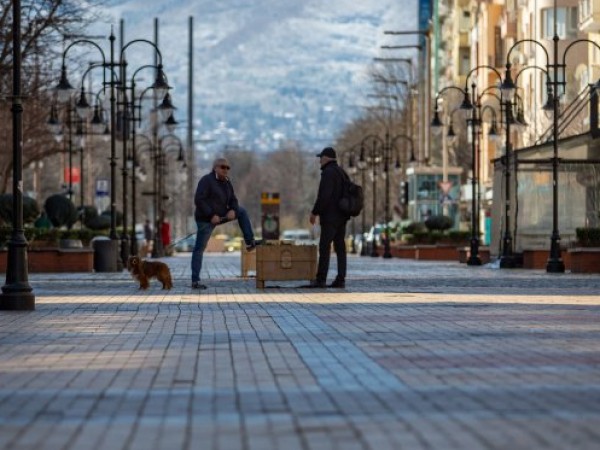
column 216, row 203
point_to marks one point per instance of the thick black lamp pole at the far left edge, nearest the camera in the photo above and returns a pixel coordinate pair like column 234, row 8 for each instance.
column 17, row 294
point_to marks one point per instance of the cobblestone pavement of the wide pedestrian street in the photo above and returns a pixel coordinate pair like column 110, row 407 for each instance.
column 412, row 355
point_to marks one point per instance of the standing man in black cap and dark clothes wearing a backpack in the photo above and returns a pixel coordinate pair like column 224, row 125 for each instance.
column 332, row 219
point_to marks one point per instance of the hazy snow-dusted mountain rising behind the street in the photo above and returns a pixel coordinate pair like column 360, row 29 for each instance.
column 267, row 71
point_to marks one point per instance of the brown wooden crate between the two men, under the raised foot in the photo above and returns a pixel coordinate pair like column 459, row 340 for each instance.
column 285, row 262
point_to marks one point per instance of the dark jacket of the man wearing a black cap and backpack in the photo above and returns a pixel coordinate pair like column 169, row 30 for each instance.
column 330, row 192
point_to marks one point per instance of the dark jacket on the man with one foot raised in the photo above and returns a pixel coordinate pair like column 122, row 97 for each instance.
column 214, row 197
